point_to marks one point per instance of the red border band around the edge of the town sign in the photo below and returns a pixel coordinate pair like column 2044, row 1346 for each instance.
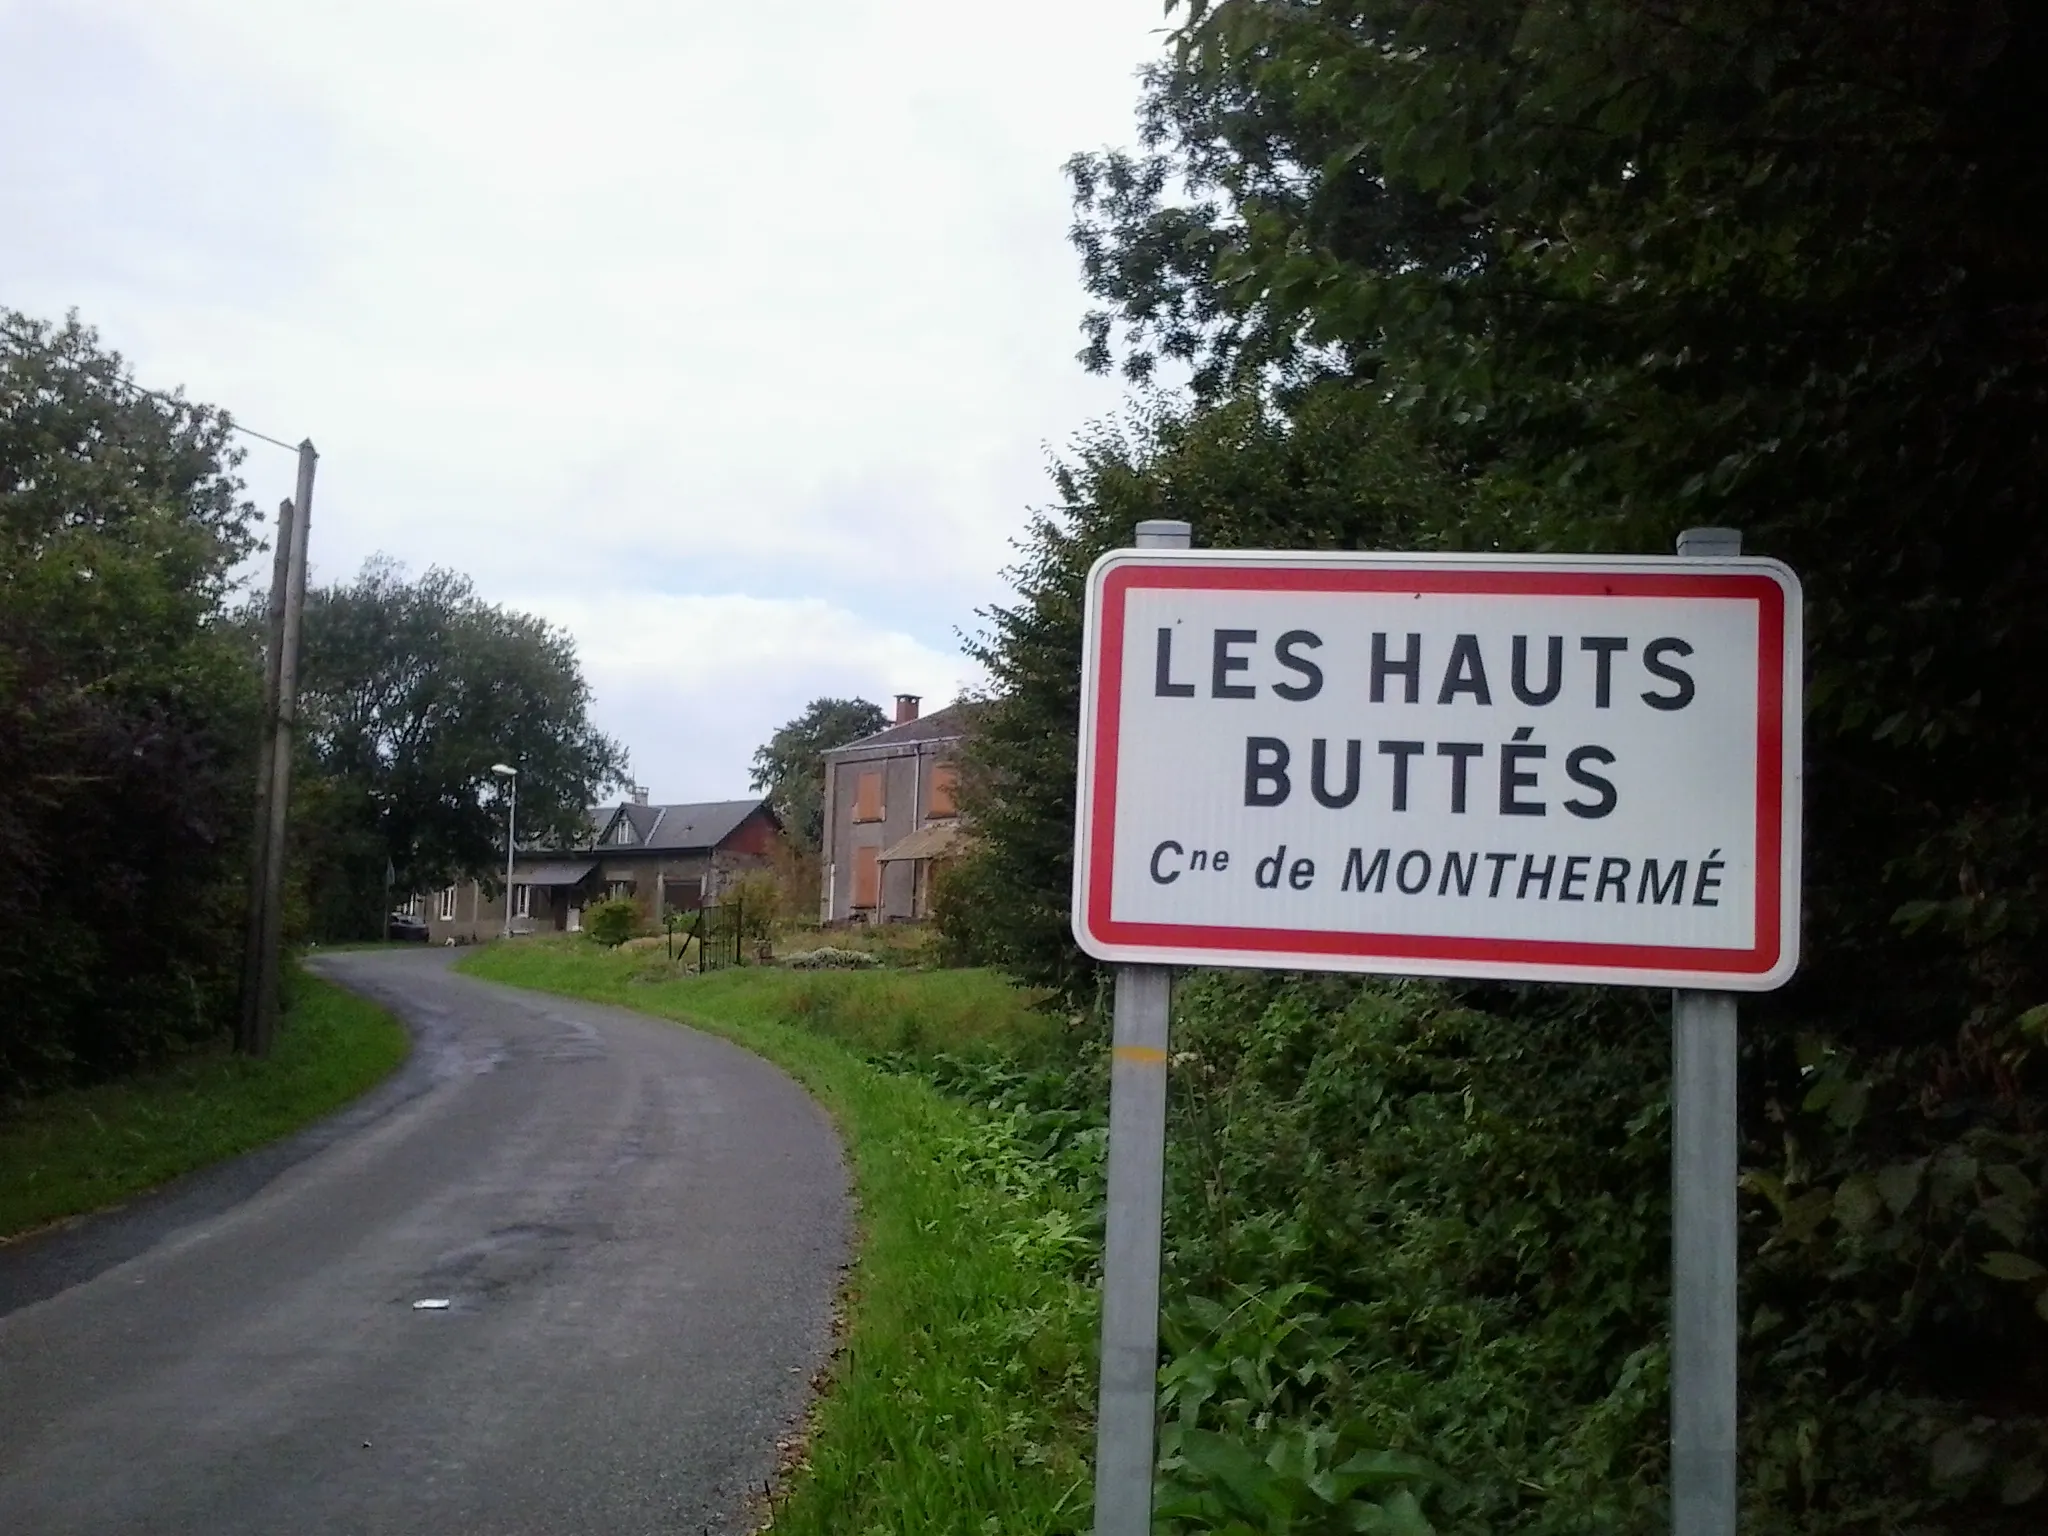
column 1770, row 599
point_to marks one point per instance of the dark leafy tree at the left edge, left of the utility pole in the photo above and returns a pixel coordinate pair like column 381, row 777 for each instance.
column 128, row 714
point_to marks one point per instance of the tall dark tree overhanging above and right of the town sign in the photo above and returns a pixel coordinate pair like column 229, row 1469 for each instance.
column 1646, row 267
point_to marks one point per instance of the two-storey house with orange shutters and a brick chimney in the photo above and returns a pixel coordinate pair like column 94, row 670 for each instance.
column 892, row 816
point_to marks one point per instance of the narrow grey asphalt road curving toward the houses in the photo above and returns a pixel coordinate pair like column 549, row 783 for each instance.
column 638, row 1232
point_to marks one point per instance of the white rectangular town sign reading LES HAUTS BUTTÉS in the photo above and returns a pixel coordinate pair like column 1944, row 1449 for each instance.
column 1541, row 769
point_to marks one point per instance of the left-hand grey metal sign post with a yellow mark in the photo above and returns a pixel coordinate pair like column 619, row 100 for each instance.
column 1132, row 1242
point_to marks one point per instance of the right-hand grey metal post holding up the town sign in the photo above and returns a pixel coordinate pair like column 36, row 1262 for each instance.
column 1703, row 1228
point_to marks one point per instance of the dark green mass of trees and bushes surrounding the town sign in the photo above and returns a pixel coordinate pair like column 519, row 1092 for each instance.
column 1572, row 280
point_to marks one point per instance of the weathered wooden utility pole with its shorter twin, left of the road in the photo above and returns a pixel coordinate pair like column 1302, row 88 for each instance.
column 273, row 790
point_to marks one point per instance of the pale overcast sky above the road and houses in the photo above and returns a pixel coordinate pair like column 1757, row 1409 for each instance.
column 730, row 337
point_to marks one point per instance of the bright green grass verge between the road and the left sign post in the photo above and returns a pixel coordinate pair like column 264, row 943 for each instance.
column 964, row 1396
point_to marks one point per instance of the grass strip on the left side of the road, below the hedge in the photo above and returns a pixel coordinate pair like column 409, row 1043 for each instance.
column 95, row 1148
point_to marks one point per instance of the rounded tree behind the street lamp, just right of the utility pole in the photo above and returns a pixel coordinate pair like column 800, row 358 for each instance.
column 411, row 693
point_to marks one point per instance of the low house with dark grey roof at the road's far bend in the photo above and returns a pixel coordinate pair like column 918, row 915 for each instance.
column 660, row 857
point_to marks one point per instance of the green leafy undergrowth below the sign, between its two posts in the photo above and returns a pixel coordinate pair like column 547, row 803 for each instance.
column 1392, row 1234
